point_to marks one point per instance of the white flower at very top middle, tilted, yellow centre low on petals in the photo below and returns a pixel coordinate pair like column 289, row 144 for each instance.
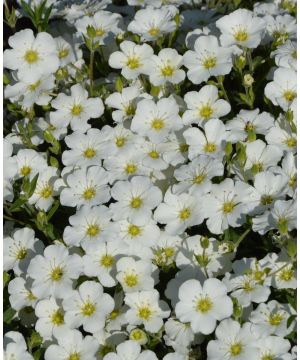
column 151, row 23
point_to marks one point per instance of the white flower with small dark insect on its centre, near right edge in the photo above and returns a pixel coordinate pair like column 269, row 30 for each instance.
column 247, row 123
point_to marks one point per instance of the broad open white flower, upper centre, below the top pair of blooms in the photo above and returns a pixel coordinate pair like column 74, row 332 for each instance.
column 156, row 120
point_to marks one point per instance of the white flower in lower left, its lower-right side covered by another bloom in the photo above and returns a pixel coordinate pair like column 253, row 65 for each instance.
column 100, row 260
